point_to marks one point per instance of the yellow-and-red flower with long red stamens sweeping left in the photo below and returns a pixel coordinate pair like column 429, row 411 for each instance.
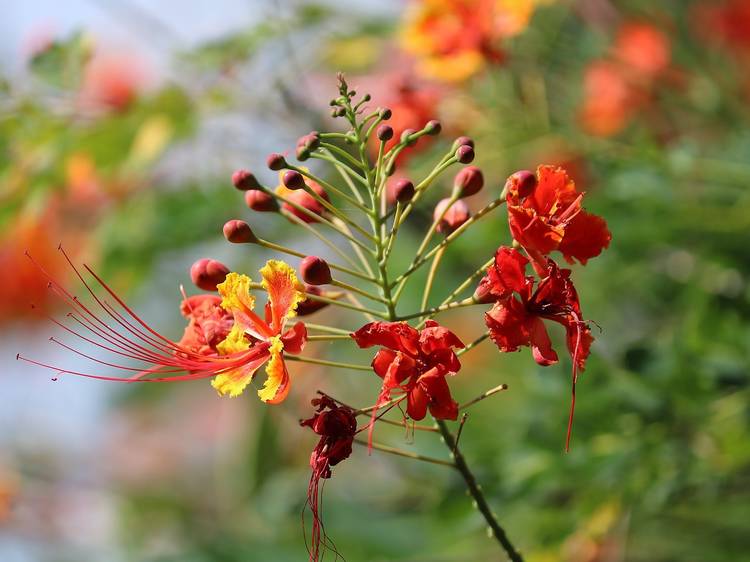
column 224, row 339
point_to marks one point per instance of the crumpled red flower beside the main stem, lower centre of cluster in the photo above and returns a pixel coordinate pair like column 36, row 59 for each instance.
column 415, row 363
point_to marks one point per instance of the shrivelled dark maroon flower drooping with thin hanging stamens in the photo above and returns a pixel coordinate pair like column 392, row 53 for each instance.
column 336, row 426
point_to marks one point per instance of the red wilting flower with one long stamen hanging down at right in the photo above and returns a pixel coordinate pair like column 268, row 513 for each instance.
column 516, row 318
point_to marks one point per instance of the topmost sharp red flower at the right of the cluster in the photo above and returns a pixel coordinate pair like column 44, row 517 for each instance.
column 550, row 217
